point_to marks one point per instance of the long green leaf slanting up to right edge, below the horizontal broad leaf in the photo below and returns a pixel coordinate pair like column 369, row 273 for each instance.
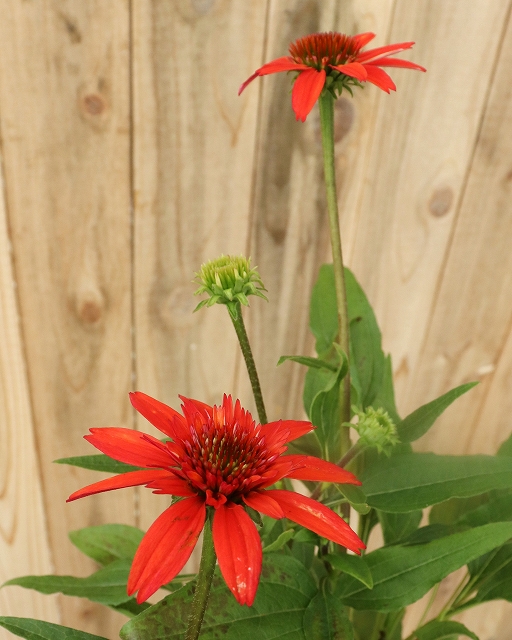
column 403, row 574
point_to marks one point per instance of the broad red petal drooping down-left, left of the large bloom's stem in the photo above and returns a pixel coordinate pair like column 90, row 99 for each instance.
column 166, row 547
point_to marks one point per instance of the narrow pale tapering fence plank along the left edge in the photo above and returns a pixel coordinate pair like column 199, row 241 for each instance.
column 24, row 545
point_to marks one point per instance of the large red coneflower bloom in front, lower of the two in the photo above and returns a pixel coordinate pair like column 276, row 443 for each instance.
column 220, row 458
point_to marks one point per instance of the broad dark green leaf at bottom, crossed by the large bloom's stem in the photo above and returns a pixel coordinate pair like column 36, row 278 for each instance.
column 285, row 590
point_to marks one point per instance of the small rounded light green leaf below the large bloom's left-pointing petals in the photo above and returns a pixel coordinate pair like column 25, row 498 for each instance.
column 107, row 542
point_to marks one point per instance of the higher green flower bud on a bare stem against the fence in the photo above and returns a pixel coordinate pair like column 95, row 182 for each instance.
column 228, row 280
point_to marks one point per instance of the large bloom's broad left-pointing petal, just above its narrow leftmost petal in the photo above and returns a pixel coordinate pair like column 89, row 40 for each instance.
column 129, row 446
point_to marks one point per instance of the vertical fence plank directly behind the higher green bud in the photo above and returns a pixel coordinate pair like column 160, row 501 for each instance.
column 193, row 146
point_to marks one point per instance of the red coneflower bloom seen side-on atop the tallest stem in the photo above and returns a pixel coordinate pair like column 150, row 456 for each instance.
column 334, row 60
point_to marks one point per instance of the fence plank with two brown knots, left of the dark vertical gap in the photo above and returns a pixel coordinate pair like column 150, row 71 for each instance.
column 64, row 105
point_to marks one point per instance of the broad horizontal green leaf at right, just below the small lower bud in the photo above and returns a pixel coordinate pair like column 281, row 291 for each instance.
column 418, row 480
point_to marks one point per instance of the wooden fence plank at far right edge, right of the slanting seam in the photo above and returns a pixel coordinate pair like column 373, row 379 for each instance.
column 469, row 333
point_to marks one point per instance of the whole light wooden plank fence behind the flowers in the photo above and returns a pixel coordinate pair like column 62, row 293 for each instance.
column 128, row 160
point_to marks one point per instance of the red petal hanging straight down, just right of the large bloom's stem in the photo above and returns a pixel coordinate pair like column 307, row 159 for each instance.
column 238, row 547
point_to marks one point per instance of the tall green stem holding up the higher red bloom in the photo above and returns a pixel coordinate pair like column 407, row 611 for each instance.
column 326, row 105
